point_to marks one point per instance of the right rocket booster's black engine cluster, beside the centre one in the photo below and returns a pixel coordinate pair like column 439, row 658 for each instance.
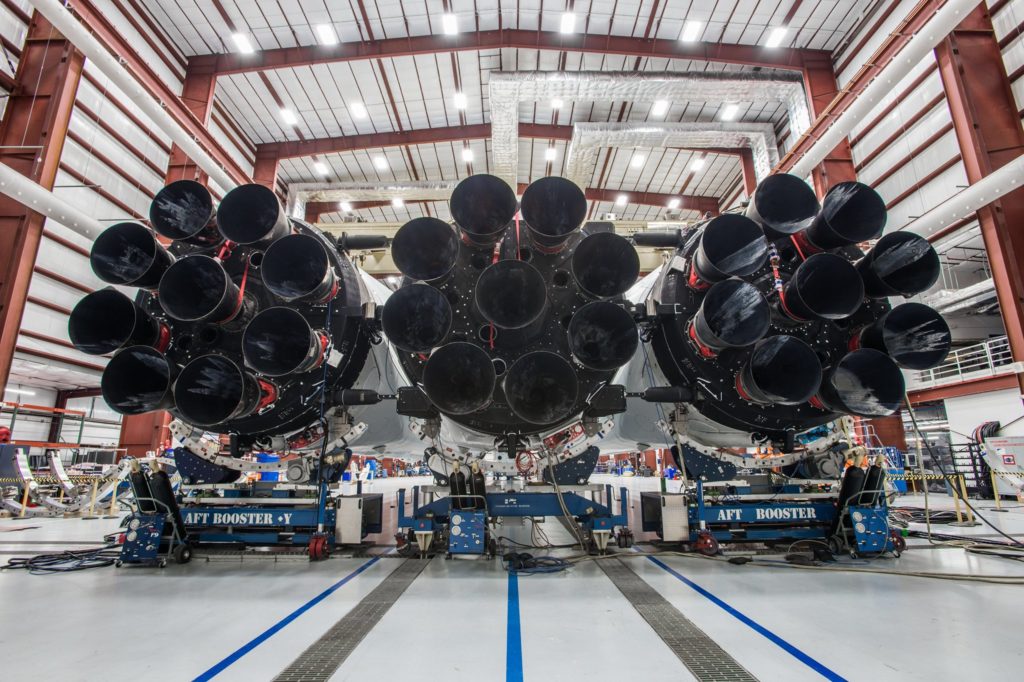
column 777, row 322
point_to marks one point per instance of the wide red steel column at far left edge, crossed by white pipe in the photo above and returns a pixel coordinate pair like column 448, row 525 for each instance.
column 32, row 138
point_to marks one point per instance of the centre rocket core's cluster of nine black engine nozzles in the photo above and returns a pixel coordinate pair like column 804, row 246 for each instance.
column 514, row 326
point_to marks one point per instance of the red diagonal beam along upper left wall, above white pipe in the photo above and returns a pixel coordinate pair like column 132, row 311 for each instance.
column 117, row 45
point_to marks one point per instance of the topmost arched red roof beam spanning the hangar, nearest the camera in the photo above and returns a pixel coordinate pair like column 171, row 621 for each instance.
column 754, row 56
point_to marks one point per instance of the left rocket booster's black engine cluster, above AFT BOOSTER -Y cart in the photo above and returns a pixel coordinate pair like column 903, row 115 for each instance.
column 235, row 326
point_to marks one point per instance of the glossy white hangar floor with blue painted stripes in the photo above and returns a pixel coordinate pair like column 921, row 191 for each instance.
column 470, row 620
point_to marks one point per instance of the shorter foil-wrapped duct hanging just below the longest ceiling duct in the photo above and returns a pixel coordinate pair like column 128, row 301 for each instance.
column 590, row 139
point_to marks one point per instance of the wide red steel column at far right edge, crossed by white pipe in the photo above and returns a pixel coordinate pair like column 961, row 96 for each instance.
column 989, row 130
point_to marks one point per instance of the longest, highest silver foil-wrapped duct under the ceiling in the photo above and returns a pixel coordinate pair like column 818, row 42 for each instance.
column 506, row 91
